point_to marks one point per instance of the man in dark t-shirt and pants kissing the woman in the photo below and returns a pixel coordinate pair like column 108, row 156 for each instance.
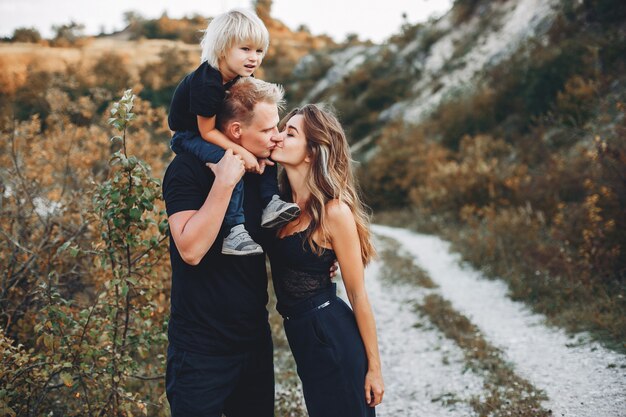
column 220, row 352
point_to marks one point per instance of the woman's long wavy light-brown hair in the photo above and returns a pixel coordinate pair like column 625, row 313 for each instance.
column 331, row 175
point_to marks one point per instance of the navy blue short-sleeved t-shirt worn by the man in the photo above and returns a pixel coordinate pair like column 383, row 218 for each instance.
column 218, row 307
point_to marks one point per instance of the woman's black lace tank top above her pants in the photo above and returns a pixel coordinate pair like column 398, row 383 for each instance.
column 298, row 273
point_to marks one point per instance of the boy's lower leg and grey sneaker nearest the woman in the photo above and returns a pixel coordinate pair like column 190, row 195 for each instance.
column 276, row 212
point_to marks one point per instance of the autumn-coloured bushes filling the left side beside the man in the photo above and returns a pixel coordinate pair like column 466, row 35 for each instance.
column 85, row 285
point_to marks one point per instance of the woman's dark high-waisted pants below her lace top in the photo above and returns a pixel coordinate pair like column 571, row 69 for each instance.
column 329, row 352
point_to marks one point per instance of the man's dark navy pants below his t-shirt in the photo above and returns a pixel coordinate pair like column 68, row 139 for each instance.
column 239, row 385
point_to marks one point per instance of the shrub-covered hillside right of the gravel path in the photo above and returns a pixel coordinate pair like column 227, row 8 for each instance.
column 526, row 176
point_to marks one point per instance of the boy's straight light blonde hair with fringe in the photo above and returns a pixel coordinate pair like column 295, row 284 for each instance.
column 230, row 28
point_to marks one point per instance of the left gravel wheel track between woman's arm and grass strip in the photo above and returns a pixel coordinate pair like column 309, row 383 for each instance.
column 423, row 371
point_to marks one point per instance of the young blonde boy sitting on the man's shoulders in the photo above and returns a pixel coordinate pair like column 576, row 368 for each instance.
column 233, row 46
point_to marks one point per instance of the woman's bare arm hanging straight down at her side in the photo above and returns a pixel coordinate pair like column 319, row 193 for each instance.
column 345, row 242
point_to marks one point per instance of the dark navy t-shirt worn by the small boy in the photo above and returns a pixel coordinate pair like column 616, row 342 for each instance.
column 200, row 93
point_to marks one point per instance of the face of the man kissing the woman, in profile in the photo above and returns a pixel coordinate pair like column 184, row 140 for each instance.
column 256, row 137
